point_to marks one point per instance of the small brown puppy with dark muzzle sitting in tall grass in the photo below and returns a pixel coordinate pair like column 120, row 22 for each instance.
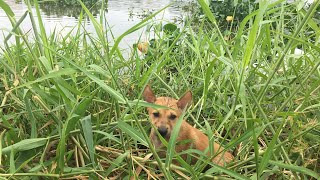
column 164, row 121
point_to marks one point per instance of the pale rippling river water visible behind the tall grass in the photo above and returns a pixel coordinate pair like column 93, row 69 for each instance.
column 120, row 15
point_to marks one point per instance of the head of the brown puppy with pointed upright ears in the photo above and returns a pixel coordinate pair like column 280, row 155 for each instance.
column 165, row 119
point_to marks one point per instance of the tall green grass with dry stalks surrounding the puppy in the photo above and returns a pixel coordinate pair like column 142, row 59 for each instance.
column 71, row 108
